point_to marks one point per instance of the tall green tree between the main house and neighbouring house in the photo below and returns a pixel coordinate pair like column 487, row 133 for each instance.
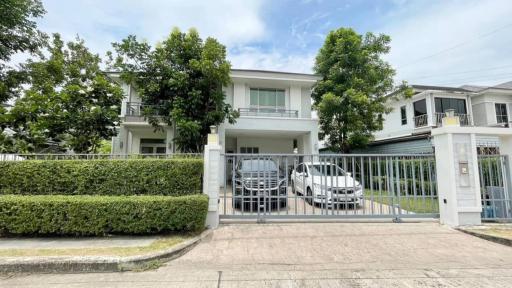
column 350, row 96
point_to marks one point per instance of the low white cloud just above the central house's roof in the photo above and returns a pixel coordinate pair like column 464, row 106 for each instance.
column 254, row 58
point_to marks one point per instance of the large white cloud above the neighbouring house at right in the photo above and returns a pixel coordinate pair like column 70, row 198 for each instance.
column 423, row 31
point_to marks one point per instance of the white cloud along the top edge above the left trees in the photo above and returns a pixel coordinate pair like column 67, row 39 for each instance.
column 102, row 22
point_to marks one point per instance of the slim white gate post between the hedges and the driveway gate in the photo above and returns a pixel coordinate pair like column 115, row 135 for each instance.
column 211, row 185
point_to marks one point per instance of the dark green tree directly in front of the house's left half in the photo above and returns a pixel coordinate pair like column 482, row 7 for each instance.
column 184, row 75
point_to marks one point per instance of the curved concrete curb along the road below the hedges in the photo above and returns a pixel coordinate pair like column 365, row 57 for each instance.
column 88, row 264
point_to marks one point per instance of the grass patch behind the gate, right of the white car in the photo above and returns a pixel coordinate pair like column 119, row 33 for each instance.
column 419, row 204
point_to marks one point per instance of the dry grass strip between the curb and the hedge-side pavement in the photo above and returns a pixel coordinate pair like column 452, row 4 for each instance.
column 162, row 243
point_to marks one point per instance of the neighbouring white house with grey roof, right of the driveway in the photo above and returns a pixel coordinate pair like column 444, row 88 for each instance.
column 407, row 128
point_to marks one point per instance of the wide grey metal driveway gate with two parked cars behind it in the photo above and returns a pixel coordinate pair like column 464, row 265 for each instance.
column 280, row 186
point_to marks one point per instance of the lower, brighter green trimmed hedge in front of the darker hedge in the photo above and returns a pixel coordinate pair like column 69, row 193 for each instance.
column 100, row 215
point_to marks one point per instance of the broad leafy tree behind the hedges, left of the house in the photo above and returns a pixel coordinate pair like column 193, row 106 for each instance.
column 70, row 103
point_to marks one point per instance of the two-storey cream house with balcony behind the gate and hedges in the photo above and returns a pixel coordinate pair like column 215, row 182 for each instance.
column 275, row 117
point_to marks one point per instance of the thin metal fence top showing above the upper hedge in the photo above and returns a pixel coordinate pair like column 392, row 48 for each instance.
column 22, row 157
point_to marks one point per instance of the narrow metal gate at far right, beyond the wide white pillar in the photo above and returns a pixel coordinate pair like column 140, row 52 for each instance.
column 495, row 188
